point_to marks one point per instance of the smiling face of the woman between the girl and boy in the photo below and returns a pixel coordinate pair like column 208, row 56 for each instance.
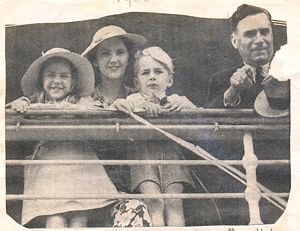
column 112, row 58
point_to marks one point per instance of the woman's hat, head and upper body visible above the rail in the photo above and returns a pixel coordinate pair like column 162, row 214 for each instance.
column 109, row 54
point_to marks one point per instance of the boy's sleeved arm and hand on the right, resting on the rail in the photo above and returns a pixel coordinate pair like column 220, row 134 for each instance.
column 178, row 103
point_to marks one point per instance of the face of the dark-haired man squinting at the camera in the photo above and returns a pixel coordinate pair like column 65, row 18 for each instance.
column 253, row 39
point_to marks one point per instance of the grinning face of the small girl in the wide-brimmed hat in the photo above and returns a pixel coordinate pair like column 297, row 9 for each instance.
column 57, row 80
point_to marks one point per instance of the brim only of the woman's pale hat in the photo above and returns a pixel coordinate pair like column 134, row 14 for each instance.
column 136, row 39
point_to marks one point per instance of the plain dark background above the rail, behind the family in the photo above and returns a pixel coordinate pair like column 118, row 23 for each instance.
column 198, row 46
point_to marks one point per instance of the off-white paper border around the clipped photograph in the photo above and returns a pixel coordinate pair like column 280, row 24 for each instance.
column 34, row 11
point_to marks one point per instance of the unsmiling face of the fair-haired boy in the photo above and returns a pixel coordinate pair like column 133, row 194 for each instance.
column 152, row 77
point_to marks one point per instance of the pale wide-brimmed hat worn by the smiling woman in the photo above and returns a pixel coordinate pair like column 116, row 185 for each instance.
column 111, row 32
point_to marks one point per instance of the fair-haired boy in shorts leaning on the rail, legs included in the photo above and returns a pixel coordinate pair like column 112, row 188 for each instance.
column 153, row 71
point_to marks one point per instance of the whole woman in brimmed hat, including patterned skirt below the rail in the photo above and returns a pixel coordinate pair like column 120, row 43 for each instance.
column 109, row 53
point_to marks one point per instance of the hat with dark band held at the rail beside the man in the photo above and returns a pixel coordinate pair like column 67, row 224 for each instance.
column 274, row 100
